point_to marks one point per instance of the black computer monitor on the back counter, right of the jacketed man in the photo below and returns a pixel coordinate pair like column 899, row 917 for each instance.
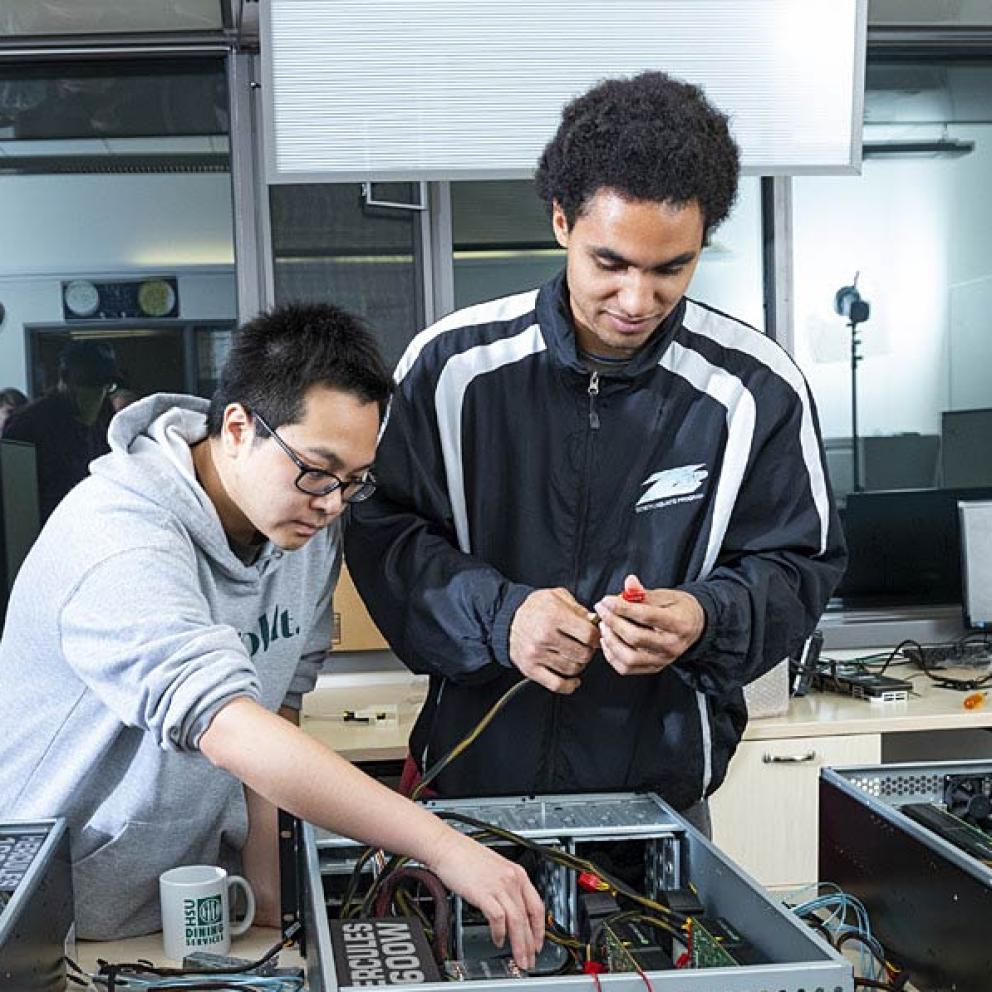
column 904, row 547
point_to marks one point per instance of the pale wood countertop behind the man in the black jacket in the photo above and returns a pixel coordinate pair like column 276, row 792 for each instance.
column 816, row 715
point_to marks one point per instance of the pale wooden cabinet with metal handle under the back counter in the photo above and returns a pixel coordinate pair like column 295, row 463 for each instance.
column 765, row 813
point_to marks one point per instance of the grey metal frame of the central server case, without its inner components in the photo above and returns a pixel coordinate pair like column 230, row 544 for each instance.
column 801, row 960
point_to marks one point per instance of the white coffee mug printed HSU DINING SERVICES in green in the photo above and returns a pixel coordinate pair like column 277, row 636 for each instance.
column 196, row 913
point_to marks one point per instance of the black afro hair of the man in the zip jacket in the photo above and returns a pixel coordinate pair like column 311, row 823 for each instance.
column 650, row 137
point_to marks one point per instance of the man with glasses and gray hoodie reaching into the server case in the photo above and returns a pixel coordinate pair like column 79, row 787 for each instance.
column 174, row 602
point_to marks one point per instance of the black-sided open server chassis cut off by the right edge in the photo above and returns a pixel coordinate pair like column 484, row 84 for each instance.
column 930, row 903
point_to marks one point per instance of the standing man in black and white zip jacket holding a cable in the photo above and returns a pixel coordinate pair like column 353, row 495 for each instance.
column 604, row 434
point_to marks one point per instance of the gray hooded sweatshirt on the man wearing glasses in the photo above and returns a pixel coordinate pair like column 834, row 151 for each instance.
column 130, row 624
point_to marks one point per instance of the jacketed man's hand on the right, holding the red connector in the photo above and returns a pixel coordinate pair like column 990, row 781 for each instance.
column 642, row 638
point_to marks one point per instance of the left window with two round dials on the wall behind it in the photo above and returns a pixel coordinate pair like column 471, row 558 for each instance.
column 116, row 197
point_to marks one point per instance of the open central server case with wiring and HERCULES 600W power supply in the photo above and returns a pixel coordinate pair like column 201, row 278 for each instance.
column 634, row 895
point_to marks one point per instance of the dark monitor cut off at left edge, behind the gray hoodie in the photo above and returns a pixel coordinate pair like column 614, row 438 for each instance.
column 19, row 514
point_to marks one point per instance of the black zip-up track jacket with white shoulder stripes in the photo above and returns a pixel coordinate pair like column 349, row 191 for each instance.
column 506, row 466
